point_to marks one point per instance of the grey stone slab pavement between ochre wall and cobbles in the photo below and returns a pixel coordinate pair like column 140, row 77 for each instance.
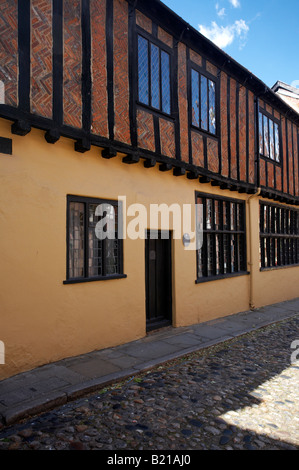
column 71, row 377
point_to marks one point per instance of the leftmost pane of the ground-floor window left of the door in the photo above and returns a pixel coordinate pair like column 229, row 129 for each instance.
column 76, row 240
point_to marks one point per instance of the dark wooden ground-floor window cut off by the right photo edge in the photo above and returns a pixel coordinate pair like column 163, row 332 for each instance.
column 279, row 236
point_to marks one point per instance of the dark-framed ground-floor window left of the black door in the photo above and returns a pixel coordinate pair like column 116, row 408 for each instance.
column 94, row 248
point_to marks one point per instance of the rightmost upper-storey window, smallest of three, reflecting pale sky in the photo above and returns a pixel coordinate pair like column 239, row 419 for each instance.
column 269, row 137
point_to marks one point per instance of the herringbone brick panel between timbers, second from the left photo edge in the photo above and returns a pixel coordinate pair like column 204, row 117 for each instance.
column 41, row 57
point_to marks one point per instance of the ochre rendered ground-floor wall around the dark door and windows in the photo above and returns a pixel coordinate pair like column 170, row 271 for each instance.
column 43, row 320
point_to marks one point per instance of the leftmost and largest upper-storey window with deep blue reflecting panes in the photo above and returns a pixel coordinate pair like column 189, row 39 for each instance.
column 153, row 76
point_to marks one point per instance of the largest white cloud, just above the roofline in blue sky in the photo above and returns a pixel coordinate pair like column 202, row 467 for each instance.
column 223, row 36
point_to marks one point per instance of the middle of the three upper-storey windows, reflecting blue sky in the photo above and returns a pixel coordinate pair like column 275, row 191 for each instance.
column 203, row 97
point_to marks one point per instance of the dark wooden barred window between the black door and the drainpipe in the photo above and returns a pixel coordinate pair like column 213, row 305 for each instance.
column 223, row 251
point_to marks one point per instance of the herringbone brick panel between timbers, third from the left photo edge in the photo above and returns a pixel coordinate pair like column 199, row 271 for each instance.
column 72, row 71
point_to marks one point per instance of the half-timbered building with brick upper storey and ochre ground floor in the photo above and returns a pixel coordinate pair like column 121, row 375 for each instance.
column 103, row 100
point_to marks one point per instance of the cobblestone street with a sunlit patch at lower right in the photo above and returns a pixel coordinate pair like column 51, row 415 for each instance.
column 239, row 395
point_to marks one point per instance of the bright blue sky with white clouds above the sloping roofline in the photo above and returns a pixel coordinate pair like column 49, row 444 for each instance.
column 262, row 35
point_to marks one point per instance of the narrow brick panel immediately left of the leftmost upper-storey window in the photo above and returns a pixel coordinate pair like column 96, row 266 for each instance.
column 121, row 72
